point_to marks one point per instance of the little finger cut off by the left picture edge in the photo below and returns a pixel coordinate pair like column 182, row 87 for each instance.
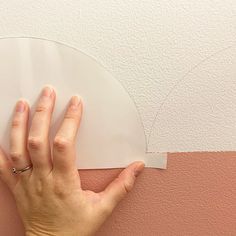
column 6, row 171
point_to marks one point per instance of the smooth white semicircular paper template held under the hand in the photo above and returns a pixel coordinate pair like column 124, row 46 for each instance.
column 111, row 133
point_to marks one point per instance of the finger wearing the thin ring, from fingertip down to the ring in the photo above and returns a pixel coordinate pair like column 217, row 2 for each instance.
column 18, row 136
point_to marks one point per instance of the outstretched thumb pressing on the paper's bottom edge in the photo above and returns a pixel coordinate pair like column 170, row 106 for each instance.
column 123, row 184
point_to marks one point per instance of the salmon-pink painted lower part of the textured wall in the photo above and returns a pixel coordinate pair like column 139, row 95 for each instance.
column 196, row 195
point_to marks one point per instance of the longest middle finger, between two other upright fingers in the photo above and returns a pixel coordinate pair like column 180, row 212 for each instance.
column 38, row 140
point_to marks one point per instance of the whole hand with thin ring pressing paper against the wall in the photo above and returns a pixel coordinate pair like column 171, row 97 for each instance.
column 49, row 197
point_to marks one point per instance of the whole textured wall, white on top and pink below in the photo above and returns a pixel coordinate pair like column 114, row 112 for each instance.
column 147, row 46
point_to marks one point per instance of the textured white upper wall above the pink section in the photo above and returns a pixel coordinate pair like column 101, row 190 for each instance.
column 148, row 46
